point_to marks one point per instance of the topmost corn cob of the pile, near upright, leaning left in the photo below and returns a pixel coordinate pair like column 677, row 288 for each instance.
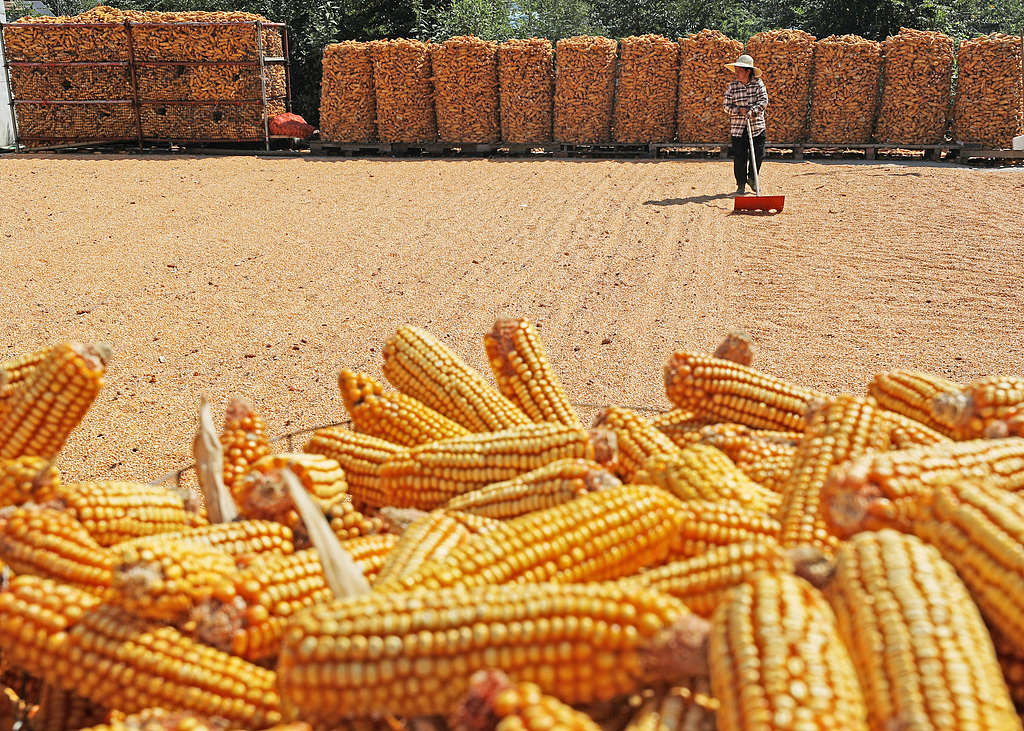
column 524, row 374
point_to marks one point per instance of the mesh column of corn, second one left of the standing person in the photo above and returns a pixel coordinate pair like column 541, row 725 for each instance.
column 646, row 96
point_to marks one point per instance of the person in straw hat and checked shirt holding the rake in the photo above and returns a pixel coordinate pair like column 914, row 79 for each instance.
column 746, row 99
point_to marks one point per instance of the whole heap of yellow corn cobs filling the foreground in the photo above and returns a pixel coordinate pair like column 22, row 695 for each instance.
column 471, row 555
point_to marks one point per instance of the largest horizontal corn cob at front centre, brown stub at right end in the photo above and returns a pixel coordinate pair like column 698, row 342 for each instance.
column 412, row 654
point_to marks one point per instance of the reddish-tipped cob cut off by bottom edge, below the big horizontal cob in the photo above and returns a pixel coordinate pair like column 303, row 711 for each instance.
column 494, row 702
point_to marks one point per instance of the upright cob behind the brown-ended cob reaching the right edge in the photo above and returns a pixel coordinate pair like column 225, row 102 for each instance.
column 843, row 429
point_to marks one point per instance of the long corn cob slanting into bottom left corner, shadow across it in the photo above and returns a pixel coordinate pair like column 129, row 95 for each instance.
column 68, row 638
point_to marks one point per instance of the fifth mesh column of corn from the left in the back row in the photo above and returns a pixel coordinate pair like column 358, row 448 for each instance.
column 585, row 90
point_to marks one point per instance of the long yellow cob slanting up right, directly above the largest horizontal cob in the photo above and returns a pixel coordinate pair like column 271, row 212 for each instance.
column 601, row 536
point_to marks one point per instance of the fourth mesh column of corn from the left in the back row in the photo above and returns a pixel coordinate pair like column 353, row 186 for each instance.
column 527, row 89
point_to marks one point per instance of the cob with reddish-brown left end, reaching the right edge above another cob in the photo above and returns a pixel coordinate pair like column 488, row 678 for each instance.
column 900, row 478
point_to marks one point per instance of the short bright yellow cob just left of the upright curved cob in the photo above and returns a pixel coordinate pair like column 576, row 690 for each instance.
column 702, row 472
